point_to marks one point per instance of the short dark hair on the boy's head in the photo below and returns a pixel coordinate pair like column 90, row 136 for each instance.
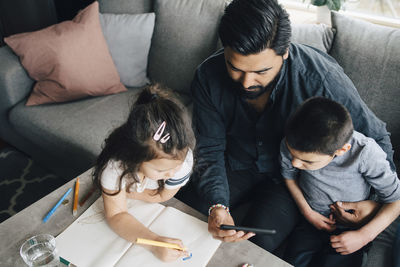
column 319, row 125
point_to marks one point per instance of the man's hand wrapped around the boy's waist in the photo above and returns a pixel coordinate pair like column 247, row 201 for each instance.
column 354, row 213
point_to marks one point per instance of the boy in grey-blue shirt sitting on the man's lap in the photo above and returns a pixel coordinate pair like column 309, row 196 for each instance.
column 323, row 160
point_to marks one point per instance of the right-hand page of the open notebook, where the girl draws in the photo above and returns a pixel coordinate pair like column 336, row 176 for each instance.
column 176, row 224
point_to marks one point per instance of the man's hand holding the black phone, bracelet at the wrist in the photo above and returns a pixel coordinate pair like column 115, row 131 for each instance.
column 220, row 216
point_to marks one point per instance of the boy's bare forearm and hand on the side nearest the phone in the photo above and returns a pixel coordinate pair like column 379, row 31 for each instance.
column 319, row 221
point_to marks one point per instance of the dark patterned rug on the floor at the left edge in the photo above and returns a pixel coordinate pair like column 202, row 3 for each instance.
column 22, row 182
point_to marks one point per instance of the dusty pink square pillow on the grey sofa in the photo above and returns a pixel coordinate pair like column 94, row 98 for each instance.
column 69, row 60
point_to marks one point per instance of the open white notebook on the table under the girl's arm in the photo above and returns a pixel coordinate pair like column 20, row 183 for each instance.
column 89, row 241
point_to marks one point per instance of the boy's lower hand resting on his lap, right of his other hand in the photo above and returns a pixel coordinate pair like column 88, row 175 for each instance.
column 348, row 242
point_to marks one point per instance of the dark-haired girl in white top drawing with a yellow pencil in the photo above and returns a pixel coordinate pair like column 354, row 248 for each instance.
column 148, row 158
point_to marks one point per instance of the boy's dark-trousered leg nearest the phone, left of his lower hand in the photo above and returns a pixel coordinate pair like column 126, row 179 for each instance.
column 305, row 245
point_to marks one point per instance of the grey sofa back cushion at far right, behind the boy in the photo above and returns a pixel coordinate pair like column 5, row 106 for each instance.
column 370, row 56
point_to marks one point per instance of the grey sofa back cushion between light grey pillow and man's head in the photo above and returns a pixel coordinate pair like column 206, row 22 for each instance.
column 184, row 35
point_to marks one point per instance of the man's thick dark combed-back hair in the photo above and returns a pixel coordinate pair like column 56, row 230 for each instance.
column 251, row 26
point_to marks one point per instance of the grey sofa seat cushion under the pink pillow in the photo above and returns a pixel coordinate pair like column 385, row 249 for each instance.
column 76, row 130
